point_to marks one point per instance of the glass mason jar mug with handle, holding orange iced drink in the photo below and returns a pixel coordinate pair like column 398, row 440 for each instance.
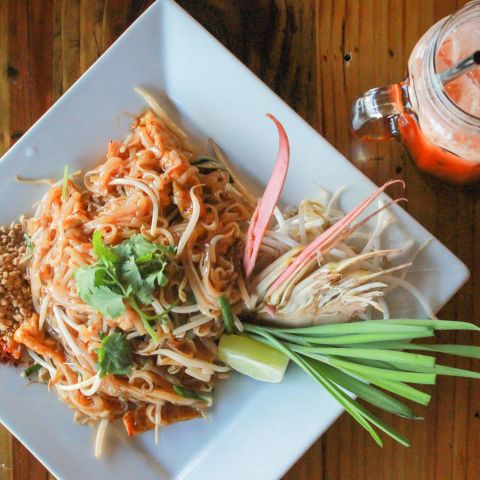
column 439, row 125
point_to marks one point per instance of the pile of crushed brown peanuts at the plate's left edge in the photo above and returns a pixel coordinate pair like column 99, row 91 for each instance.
column 15, row 296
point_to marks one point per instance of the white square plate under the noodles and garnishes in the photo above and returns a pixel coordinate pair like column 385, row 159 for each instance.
column 256, row 431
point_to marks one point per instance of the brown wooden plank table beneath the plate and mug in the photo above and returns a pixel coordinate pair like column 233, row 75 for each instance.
column 318, row 55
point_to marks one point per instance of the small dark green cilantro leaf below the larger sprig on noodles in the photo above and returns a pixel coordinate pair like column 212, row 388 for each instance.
column 115, row 355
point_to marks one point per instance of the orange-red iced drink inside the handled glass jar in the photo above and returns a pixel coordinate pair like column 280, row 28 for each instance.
column 435, row 142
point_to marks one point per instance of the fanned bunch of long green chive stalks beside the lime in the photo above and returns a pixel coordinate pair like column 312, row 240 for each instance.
column 364, row 357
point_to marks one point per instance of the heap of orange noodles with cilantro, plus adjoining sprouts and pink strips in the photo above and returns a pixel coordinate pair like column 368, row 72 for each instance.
column 135, row 270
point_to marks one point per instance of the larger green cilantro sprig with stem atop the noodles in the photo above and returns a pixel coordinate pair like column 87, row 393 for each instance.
column 128, row 273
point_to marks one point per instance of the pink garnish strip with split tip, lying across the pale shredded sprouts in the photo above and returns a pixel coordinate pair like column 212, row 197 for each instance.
column 327, row 239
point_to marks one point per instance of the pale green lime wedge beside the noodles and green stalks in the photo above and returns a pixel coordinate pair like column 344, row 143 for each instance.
column 252, row 358
